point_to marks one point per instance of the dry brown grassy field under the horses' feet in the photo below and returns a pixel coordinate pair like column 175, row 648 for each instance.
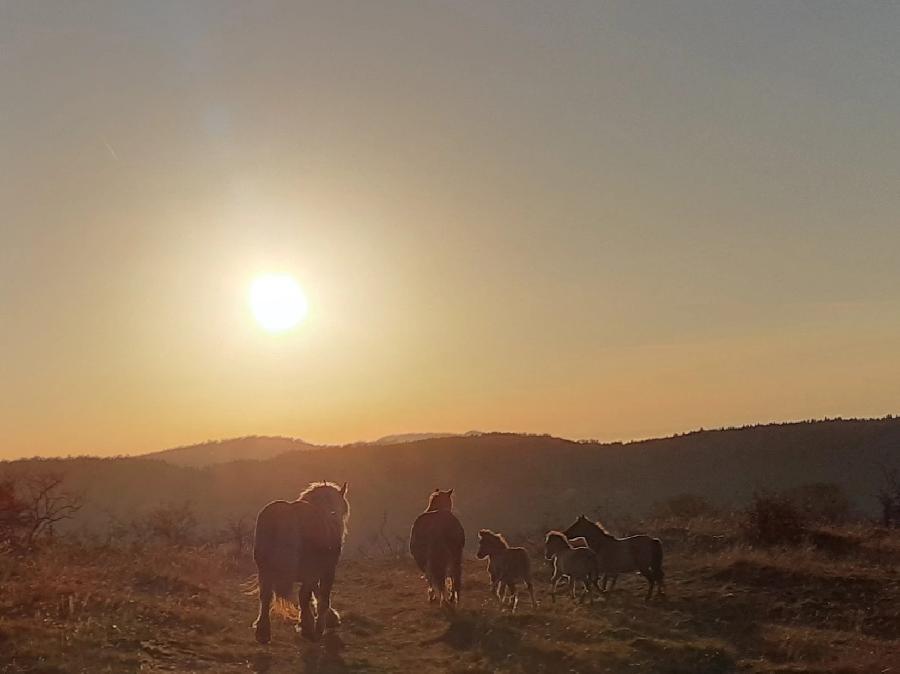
column 829, row 605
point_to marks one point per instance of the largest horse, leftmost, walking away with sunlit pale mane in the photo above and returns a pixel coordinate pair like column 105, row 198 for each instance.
column 301, row 541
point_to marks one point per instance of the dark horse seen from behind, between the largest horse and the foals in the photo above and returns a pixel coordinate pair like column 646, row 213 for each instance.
column 436, row 542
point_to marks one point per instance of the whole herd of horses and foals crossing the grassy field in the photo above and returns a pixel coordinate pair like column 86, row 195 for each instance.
column 301, row 541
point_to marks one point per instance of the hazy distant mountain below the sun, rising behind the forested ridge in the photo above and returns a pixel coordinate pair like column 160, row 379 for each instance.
column 254, row 447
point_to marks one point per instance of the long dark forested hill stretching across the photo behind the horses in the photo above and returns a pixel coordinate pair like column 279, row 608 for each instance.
column 506, row 481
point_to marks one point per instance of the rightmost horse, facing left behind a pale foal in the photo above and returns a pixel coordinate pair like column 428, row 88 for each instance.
column 639, row 553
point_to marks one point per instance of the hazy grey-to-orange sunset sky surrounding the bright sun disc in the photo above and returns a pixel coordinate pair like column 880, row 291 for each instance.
column 597, row 219
